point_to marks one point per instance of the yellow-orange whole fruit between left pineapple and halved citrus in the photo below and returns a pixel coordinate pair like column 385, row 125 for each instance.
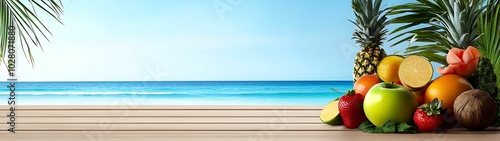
column 387, row 69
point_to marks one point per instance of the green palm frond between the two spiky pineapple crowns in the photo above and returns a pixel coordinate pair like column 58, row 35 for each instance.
column 416, row 18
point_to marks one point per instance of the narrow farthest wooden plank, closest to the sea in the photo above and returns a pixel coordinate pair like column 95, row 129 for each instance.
column 160, row 107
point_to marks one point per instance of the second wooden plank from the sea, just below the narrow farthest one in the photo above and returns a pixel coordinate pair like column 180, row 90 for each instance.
column 158, row 113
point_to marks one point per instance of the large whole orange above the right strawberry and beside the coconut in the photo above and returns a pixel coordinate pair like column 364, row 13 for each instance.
column 447, row 88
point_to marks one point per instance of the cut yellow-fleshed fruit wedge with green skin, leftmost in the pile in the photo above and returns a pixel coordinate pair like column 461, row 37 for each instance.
column 330, row 113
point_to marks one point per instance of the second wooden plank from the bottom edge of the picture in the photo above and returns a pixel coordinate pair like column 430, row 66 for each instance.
column 108, row 126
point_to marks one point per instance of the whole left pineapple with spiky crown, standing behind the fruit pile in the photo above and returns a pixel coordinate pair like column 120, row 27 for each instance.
column 371, row 22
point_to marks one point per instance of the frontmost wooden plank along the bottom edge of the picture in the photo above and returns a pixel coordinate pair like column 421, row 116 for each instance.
column 245, row 136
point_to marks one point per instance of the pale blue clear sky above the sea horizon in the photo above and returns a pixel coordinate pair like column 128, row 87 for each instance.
column 192, row 40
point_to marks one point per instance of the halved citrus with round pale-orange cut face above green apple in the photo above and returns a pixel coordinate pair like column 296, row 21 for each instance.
column 415, row 72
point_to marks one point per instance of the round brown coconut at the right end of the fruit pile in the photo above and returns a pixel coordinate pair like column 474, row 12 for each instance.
column 475, row 109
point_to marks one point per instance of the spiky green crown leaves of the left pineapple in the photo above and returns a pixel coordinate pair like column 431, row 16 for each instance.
column 370, row 22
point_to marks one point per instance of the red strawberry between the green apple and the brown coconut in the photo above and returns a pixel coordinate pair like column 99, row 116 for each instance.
column 429, row 117
